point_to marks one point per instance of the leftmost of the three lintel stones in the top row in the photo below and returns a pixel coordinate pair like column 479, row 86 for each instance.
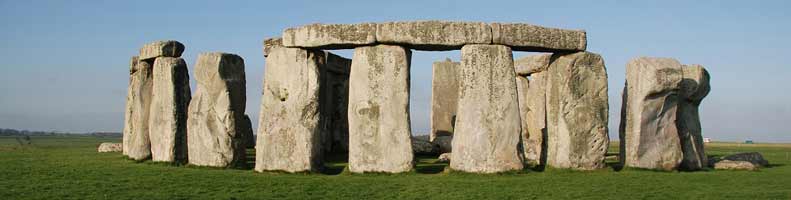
column 330, row 36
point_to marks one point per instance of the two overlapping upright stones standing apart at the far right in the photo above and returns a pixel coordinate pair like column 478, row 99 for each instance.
column 660, row 126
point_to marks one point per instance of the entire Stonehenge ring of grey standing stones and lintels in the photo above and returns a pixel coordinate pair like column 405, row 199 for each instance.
column 490, row 113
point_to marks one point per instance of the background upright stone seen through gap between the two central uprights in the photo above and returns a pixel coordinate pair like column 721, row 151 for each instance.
column 444, row 98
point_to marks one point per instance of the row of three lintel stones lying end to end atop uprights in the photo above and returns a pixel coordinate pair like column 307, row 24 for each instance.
column 435, row 36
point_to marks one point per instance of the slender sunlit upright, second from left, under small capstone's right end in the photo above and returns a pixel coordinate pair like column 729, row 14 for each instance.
column 168, row 116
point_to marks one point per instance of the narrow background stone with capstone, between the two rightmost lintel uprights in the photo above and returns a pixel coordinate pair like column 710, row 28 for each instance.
column 532, row 104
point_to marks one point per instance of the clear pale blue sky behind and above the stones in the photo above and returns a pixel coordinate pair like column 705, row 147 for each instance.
column 64, row 64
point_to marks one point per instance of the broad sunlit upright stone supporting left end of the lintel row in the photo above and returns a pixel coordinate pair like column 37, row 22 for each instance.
column 289, row 130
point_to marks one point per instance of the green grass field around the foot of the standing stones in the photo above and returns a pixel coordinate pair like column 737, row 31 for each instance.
column 68, row 167
